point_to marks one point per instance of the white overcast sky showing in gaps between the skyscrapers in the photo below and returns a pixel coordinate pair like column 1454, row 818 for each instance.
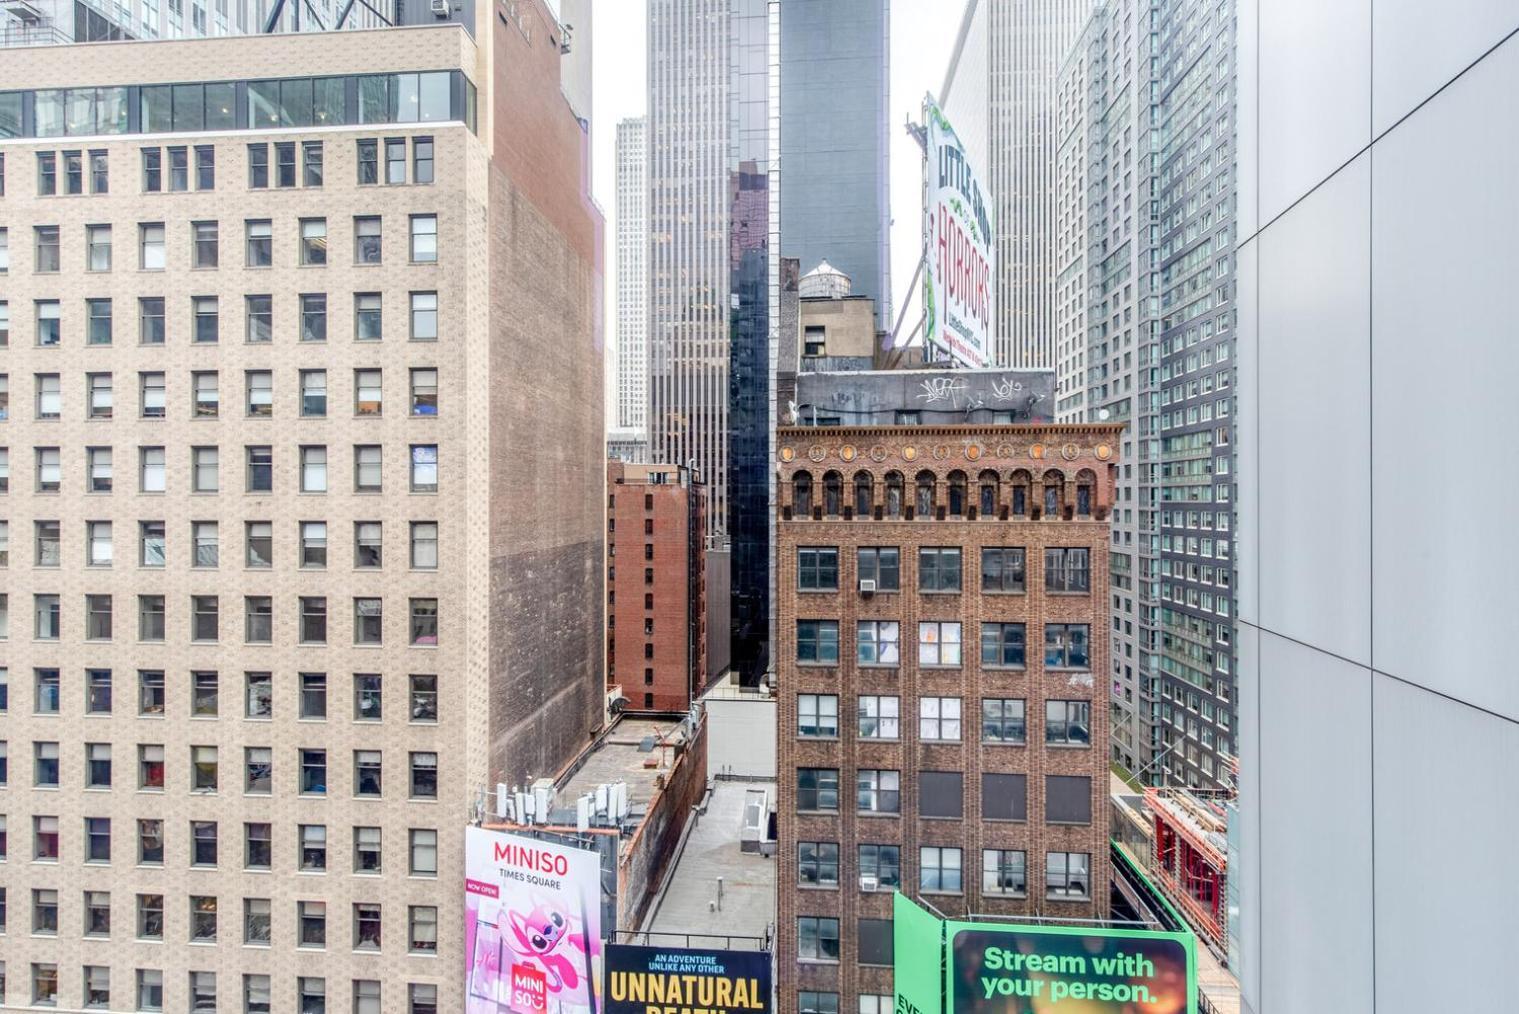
column 923, row 39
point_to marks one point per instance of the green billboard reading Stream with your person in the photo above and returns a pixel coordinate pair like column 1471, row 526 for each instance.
column 1017, row 969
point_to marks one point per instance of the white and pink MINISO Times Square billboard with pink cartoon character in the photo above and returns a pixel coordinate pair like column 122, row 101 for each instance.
column 532, row 925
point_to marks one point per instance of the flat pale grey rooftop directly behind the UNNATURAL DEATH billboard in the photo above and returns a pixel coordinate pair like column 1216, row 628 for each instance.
column 690, row 898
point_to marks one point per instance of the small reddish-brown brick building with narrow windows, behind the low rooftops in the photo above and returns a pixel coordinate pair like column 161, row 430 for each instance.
column 657, row 616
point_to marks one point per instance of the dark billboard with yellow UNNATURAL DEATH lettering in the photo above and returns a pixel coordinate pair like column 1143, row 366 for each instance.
column 681, row 980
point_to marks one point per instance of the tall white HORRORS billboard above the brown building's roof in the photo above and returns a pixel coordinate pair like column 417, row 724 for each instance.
column 959, row 276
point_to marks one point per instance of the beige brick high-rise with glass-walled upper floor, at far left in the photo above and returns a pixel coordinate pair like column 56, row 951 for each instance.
column 298, row 377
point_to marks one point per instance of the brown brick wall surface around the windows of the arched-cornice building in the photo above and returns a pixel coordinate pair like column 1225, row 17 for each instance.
column 1005, row 450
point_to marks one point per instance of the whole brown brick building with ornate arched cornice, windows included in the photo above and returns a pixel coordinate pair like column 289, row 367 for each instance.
column 923, row 745
